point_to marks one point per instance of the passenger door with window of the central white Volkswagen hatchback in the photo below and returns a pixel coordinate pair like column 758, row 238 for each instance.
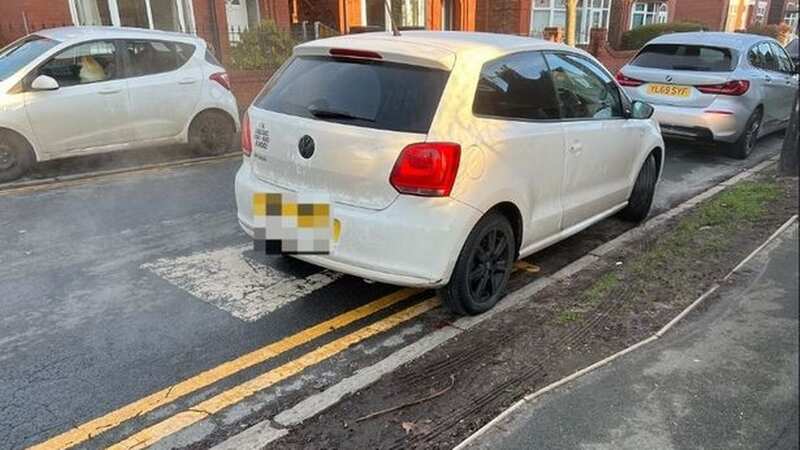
column 601, row 144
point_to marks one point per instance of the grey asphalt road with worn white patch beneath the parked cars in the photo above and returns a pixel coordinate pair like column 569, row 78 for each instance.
column 112, row 289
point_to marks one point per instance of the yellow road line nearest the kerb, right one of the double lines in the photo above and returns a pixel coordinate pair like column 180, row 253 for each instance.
column 236, row 394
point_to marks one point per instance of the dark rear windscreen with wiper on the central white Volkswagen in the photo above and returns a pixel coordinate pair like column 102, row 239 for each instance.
column 380, row 95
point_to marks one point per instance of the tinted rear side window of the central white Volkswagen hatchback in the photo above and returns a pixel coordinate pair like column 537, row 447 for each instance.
column 516, row 87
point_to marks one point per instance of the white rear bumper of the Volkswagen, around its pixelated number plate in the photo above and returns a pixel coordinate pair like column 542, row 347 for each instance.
column 413, row 242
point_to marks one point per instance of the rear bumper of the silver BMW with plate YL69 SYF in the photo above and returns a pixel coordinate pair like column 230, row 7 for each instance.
column 700, row 124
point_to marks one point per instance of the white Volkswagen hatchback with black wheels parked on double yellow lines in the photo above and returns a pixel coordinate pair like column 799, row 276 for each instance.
column 447, row 156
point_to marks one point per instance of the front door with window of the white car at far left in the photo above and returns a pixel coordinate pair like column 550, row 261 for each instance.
column 90, row 109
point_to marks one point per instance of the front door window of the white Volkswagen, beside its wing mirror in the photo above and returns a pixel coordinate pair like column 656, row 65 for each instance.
column 583, row 89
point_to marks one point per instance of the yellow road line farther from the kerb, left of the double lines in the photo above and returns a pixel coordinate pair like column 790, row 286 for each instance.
column 165, row 396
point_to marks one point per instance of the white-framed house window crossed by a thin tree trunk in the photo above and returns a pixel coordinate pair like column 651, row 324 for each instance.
column 553, row 13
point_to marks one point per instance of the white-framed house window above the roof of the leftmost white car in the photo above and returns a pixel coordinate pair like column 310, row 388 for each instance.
column 167, row 15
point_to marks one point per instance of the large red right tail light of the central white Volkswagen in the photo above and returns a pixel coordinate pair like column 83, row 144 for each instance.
column 427, row 169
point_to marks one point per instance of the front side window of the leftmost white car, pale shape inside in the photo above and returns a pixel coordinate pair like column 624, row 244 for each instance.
column 91, row 62
